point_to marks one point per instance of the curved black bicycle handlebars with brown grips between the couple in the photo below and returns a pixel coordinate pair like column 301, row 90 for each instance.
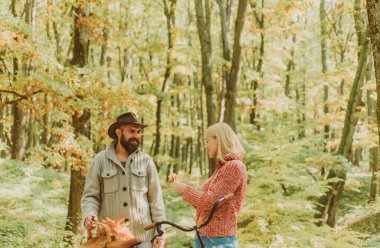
column 195, row 228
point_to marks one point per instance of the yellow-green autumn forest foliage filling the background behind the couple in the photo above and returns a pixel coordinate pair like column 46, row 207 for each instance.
column 284, row 147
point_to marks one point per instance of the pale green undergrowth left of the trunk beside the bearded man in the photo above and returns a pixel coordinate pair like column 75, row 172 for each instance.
column 33, row 206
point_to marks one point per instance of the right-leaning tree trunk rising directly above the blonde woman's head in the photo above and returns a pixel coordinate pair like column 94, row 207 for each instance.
column 231, row 92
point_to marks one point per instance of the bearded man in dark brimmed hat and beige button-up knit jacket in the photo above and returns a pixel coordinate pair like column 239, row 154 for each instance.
column 123, row 182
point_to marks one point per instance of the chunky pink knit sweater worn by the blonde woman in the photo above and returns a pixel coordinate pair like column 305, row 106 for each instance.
column 230, row 177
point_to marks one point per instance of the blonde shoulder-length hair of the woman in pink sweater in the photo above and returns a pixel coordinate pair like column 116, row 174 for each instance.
column 227, row 140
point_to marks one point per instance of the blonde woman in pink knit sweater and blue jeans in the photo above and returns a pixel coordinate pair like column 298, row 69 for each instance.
column 229, row 177
